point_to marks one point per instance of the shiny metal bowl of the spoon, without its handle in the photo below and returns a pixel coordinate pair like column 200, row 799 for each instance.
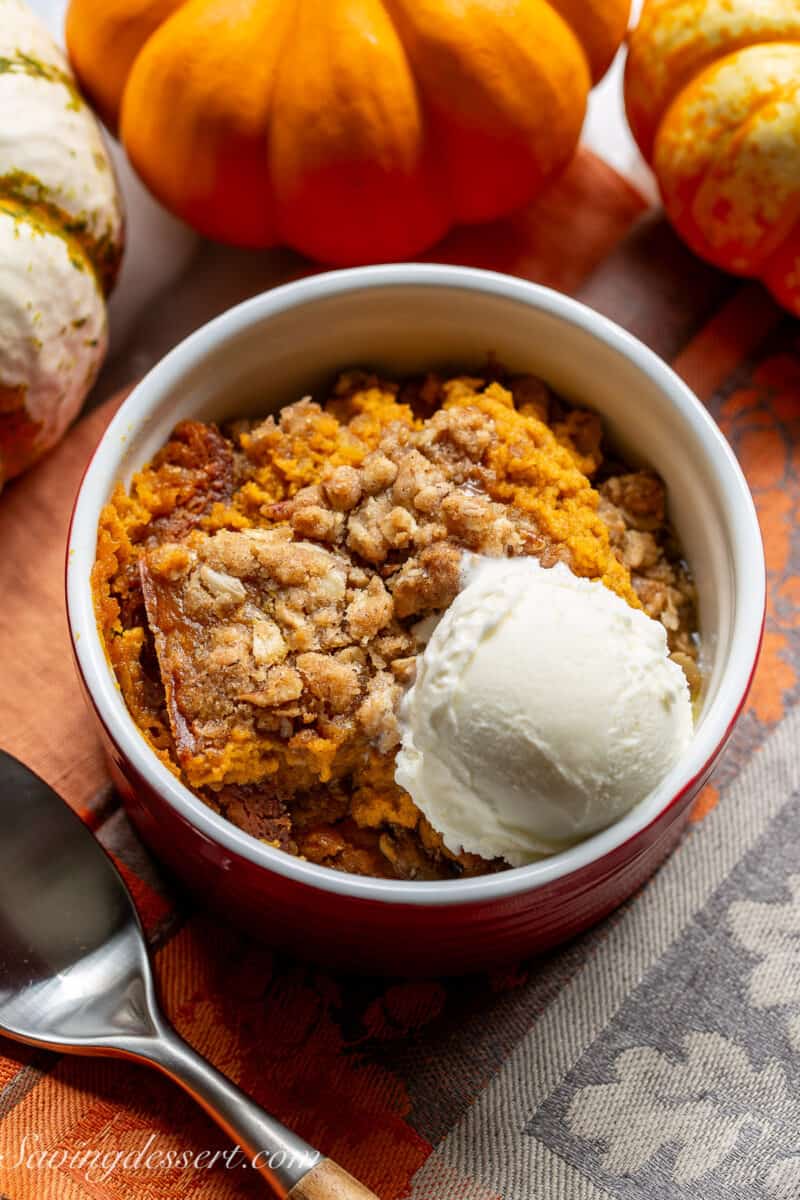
column 75, row 973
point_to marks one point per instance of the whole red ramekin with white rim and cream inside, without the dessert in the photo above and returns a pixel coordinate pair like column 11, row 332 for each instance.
column 291, row 343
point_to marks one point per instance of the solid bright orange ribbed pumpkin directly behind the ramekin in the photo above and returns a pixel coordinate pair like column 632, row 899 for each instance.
column 352, row 130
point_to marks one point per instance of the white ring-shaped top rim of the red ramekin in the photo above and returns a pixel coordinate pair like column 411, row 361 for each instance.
column 146, row 400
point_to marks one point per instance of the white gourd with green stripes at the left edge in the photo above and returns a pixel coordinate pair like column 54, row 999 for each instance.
column 62, row 235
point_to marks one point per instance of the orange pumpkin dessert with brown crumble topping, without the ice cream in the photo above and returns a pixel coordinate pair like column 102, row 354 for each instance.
column 266, row 591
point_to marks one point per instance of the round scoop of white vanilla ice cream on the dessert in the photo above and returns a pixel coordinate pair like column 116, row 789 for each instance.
column 544, row 709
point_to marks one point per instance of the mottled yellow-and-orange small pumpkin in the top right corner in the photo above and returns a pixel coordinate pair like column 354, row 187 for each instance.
column 713, row 97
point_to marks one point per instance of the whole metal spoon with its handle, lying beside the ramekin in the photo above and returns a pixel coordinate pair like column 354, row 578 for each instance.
column 75, row 976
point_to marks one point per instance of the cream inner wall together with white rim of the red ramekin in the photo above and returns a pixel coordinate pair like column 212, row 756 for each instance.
column 292, row 343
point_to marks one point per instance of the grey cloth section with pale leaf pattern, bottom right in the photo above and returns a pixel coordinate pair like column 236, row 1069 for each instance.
column 669, row 1066
